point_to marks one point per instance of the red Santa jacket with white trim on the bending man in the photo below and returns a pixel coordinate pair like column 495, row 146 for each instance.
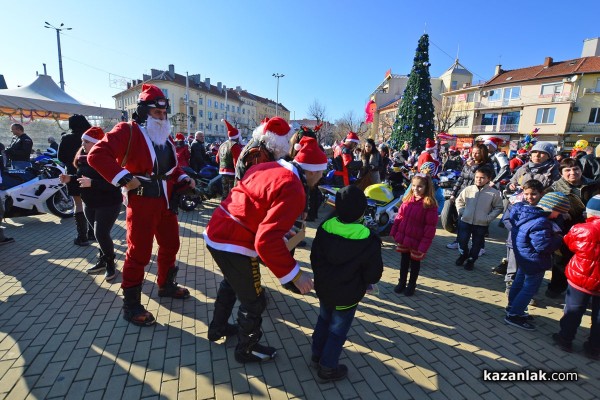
column 256, row 216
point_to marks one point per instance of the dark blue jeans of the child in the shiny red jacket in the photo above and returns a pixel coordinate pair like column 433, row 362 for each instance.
column 576, row 303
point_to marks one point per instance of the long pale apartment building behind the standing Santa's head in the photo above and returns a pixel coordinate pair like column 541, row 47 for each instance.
column 196, row 104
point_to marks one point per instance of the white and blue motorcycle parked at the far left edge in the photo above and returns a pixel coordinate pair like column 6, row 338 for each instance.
column 36, row 190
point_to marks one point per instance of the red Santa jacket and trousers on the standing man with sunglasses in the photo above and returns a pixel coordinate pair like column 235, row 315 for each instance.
column 147, row 217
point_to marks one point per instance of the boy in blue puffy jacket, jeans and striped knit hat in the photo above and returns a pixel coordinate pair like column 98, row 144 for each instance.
column 534, row 238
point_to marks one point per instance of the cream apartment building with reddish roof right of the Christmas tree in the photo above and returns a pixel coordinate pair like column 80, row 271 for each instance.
column 561, row 100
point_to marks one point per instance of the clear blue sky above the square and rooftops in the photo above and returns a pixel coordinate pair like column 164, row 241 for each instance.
column 335, row 52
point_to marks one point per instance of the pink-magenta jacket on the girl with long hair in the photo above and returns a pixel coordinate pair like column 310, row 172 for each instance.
column 414, row 226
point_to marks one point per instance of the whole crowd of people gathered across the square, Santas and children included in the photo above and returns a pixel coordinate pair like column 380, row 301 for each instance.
column 270, row 190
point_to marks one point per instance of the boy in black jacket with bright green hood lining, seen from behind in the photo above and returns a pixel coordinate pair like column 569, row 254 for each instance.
column 346, row 259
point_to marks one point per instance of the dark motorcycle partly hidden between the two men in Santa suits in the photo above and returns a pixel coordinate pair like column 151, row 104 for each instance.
column 208, row 186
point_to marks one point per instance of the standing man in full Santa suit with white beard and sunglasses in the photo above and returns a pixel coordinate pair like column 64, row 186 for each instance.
column 143, row 150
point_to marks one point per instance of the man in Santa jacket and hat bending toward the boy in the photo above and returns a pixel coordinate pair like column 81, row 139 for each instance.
column 252, row 223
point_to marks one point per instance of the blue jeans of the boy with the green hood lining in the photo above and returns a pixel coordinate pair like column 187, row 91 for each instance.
column 330, row 334
